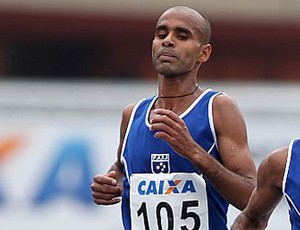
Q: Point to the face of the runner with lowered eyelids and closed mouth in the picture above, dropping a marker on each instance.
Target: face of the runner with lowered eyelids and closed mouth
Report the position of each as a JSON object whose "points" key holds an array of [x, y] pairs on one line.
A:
{"points": [[176, 45]]}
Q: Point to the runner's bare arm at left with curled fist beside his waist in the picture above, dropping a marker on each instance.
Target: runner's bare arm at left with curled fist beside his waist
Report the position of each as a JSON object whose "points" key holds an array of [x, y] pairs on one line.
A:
{"points": [[107, 188]]}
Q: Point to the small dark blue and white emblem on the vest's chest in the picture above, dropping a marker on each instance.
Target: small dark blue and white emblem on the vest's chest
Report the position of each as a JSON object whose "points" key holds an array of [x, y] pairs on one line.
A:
{"points": [[160, 163]]}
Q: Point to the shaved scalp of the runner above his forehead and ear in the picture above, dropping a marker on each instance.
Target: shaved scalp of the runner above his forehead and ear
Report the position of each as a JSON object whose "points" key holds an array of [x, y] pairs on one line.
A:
{"points": [[197, 19]]}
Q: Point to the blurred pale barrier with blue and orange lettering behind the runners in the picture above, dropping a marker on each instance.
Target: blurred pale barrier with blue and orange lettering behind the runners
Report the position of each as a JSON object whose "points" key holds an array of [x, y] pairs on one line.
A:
{"points": [[55, 136]]}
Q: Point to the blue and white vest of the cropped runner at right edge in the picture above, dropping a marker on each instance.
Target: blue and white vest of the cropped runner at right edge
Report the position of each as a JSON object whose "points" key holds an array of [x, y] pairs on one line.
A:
{"points": [[291, 183]]}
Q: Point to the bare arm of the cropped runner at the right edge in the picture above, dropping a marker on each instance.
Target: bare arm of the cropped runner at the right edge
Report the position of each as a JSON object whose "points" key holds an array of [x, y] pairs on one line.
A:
{"points": [[266, 195]]}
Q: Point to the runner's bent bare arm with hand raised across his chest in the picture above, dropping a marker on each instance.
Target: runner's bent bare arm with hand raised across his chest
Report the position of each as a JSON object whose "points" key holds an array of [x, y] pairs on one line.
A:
{"points": [[237, 178]]}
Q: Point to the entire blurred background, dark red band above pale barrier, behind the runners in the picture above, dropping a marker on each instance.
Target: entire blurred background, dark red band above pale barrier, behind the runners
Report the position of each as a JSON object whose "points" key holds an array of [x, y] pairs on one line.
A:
{"points": [[69, 67]]}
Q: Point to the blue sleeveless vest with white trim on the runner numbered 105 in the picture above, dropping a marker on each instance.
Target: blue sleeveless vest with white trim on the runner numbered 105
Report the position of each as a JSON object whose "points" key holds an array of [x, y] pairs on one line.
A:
{"points": [[153, 160]]}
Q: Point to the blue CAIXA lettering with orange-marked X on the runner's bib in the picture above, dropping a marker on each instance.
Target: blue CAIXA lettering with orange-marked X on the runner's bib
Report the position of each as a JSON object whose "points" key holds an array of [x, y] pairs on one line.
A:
{"points": [[166, 187]]}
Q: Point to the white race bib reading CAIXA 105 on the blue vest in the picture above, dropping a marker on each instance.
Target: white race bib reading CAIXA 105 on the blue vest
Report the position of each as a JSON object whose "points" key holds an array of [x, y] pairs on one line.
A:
{"points": [[176, 201]]}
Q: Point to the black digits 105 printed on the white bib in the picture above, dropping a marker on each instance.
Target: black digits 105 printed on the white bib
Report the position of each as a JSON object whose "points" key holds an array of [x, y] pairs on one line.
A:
{"points": [[165, 207]]}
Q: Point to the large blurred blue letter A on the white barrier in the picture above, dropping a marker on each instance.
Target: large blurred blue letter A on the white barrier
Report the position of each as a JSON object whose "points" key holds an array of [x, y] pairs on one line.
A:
{"points": [[72, 163]]}
